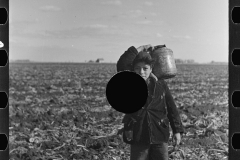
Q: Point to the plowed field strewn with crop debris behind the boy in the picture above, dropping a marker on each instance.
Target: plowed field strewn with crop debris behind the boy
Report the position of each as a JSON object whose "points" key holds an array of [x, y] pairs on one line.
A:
{"points": [[59, 111]]}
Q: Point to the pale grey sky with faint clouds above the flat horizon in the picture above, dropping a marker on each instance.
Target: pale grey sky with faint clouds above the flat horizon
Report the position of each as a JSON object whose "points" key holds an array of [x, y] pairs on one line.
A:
{"points": [[83, 30]]}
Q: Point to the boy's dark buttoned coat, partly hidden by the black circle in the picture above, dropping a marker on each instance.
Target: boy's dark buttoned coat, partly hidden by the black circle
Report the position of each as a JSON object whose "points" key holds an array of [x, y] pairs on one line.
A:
{"points": [[152, 126]]}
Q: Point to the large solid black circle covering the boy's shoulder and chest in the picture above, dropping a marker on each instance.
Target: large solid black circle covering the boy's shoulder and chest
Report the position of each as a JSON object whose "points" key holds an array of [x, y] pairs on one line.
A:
{"points": [[127, 92]]}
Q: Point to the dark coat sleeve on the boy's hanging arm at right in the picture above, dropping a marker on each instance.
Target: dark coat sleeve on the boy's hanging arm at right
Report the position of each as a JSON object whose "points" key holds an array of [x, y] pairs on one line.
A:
{"points": [[173, 115]]}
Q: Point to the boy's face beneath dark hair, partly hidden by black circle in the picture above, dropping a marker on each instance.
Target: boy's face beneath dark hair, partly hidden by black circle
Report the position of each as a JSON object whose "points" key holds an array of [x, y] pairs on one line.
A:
{"points": [[143, 70]]}
